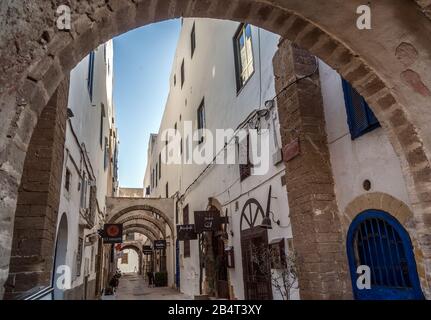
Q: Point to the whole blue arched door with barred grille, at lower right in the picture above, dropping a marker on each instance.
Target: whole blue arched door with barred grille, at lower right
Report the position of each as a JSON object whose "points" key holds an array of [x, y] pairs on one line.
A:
{"points": [[378, 240]]}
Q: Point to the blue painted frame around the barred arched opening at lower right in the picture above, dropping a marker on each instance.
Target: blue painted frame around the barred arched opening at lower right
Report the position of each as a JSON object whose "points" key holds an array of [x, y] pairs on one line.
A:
{"points": [[380, 292]]}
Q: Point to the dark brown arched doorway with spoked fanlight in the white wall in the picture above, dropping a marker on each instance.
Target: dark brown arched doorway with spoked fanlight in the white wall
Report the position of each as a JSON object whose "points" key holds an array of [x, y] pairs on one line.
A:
{"points": [[254, 250]]}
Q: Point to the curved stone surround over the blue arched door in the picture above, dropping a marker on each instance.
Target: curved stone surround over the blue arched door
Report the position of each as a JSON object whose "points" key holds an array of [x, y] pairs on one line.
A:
{"points": [[396, 208]]}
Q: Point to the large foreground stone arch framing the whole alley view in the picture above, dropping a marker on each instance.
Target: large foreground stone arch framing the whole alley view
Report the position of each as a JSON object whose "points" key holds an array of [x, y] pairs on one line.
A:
{"points": [[389, 65]]}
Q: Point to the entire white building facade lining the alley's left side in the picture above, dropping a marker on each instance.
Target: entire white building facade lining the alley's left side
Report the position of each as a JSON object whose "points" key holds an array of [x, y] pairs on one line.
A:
{"points": [[89, 175]]}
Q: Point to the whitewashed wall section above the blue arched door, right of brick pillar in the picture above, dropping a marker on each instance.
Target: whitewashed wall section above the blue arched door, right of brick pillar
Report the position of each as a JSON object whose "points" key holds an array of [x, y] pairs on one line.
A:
{"points": [[370, 156]]}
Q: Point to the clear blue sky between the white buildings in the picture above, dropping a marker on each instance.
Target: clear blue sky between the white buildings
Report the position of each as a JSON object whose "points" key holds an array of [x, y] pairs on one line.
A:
{"points": [[142, 65]]}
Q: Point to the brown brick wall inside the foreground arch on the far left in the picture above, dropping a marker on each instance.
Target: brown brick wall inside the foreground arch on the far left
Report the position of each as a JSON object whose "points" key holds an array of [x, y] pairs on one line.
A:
{"points": [[38, 200]]}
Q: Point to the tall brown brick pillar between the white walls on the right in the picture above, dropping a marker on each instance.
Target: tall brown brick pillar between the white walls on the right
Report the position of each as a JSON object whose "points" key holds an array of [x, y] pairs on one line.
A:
{"points": [[316, 227]]}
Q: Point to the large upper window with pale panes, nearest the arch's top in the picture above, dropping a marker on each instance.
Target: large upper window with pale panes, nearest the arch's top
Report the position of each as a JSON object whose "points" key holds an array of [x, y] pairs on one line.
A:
{"points": [[243, 55]]}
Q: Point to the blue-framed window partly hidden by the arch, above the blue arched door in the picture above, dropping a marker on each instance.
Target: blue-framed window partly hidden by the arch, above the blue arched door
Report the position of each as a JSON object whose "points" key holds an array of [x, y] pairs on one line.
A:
{"points": [[360, 117]]}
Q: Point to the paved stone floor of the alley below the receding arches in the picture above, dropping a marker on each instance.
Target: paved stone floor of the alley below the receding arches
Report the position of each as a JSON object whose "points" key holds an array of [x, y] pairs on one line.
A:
{"points": [[134, 287]]}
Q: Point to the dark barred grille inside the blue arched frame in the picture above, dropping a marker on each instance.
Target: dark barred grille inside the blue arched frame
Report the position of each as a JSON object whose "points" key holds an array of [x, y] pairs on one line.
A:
{"points": [[378, 245]]}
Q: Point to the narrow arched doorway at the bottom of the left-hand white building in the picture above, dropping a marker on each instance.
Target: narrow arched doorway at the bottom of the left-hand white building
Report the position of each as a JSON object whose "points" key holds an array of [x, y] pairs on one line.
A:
{"points": [[61, 275]]}
